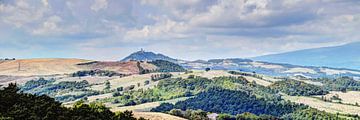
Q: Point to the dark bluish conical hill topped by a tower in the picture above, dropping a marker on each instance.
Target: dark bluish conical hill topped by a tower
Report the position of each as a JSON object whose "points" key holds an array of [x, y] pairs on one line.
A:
{"points": [[148, 56]]}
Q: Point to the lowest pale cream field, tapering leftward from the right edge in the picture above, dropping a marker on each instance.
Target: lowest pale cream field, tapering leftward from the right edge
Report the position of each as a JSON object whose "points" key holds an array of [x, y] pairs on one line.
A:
{"points": [[325, 106]]}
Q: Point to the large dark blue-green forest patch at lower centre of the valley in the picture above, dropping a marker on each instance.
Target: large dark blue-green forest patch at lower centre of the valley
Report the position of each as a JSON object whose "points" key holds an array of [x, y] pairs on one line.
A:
{"points": [[219, 100]]}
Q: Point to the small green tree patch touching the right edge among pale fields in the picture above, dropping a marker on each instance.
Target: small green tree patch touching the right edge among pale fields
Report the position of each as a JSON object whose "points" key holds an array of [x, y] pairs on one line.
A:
{"points": [[339, 84]]}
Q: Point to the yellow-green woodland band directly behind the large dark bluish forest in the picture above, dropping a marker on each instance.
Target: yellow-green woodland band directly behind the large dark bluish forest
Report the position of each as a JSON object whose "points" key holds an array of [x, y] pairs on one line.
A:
{"points": [[171, 88]]}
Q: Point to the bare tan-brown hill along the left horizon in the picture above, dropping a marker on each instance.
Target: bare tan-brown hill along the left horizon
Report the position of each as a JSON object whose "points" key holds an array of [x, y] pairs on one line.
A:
{"points": [[53, 66]]}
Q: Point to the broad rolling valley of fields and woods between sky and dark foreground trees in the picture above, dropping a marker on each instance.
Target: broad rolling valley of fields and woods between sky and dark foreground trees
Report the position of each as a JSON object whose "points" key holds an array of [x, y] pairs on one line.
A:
{"points": [[161, 90]]}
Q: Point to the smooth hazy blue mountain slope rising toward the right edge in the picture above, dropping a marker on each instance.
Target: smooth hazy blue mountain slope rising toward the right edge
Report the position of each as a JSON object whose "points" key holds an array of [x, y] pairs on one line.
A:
{"points": [[345, 56]]}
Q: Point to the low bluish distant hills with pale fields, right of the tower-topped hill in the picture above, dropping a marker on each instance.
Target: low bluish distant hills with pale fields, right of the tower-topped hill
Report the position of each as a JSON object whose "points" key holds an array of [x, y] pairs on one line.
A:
{"points": [[272, 69]]}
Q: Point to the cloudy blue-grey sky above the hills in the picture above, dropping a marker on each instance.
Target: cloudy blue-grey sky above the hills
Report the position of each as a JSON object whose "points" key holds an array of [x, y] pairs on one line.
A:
{"points": [[185, 29]]}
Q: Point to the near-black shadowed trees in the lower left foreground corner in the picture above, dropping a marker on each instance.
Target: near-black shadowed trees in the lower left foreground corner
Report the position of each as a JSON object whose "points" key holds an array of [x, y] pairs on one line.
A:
{"points": [[15, 105]]}
